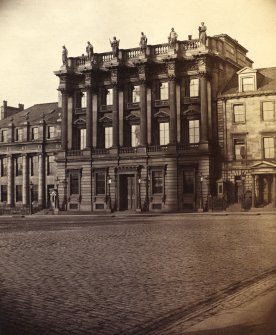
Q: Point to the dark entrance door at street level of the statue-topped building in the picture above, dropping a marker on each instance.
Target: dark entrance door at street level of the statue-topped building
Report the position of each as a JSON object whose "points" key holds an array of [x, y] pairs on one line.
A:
{"points": [[127, 192]]}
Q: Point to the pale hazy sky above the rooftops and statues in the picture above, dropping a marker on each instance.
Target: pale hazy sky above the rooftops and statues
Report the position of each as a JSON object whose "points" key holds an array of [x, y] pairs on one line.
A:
{"points": [[32, 33]]}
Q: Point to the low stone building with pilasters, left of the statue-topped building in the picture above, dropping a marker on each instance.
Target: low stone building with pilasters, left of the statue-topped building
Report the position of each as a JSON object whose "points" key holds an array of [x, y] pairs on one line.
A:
{"points": [[29, 141]]}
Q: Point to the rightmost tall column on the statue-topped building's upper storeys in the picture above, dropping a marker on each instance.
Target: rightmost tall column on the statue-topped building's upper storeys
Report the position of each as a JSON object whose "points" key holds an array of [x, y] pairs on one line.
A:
{"points": [[203, 108]]}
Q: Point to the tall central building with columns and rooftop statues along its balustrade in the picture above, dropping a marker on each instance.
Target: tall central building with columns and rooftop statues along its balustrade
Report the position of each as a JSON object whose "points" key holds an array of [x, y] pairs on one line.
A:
{"points": [[139, 127]]}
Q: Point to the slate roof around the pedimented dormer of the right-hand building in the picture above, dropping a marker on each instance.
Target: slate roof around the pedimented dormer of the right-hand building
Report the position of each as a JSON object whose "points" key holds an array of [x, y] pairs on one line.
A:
{"points": [[266, 81]]}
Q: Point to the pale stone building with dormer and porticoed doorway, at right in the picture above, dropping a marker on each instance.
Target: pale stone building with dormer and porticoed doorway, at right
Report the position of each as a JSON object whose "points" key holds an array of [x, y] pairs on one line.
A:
{"points": [[247, 135]]}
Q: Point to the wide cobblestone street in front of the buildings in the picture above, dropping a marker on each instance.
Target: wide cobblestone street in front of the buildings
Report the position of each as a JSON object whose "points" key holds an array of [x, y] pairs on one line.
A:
{"points": [[125, 276]]}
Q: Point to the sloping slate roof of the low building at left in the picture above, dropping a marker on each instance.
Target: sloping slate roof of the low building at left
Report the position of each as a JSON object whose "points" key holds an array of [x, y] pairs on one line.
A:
{"points": [[34, 114]]}
